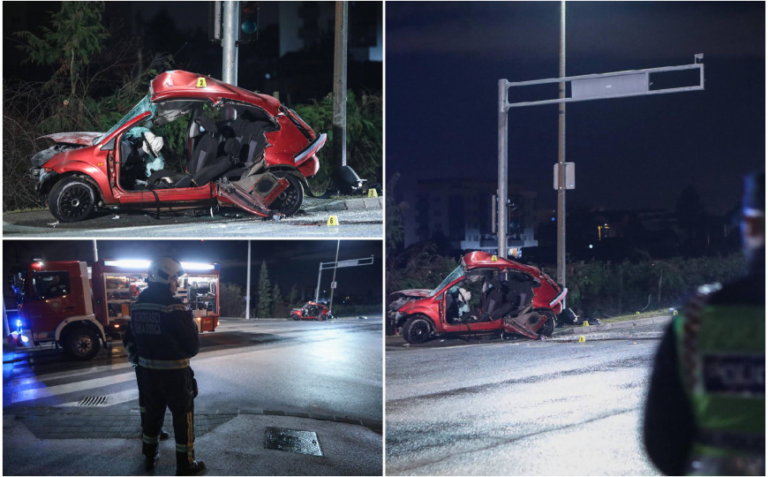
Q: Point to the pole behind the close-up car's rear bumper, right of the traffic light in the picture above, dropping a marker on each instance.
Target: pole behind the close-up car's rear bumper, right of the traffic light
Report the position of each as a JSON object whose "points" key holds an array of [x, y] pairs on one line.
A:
{"points": [[340, 86]]}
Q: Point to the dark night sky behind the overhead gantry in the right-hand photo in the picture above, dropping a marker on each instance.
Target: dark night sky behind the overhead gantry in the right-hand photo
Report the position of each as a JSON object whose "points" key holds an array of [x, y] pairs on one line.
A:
{"points": [[444, 60]]}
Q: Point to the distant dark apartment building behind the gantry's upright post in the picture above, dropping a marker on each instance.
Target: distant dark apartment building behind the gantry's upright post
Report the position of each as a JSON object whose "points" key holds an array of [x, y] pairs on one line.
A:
{"points": [[459, 211]]}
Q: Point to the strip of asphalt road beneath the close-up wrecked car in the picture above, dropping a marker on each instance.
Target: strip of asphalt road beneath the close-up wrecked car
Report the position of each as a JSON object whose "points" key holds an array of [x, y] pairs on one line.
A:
{"points": [[229, 222]]}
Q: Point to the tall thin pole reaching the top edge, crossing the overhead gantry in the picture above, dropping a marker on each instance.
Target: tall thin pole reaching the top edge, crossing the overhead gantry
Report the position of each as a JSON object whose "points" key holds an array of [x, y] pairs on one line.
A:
{"points": [[561, 159]]}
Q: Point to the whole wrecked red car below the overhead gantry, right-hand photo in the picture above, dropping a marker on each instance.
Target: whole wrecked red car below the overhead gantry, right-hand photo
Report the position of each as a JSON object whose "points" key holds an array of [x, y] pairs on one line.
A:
{"points": [[484, 295]]}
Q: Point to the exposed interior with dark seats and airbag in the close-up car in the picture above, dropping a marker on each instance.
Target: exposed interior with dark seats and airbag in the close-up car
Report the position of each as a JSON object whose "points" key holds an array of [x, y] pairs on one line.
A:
{"points": [[199, 144]]}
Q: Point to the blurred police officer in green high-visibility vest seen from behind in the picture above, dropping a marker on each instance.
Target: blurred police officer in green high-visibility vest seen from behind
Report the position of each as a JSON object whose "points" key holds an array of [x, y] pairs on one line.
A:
{"points": [[705, 413]]}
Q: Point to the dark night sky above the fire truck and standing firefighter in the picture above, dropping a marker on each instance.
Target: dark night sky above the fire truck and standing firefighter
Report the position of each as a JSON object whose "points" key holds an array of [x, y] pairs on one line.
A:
{"points": [[288, 261]]}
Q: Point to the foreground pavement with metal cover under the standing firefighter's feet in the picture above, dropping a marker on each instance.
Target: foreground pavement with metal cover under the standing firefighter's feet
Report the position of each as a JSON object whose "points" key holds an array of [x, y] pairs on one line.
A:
{"points": [[47, 442]]}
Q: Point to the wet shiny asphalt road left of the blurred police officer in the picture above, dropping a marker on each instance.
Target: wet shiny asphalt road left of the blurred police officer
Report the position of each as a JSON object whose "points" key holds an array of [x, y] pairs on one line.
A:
{"points": [[519, 407]]}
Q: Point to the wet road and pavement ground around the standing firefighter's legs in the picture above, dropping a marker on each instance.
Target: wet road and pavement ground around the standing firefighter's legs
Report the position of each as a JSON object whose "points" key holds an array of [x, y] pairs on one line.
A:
{"points": [[322, 377]]}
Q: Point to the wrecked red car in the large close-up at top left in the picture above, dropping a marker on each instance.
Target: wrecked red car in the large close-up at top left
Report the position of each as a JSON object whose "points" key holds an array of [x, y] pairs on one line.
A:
{"points": [[193, 141]]}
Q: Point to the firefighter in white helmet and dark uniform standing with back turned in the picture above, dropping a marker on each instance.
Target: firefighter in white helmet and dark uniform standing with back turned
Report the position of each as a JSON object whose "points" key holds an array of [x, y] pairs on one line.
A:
{"points": [[166, 338]]}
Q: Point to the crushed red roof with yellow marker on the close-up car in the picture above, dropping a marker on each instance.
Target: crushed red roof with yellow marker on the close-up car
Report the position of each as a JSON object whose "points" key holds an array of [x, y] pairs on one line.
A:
{"points": [[183, 84]]}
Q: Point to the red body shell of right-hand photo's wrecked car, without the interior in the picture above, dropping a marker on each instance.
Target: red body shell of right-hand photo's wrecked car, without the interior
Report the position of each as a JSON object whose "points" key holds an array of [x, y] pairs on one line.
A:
{"points": [[412, 309]]}
